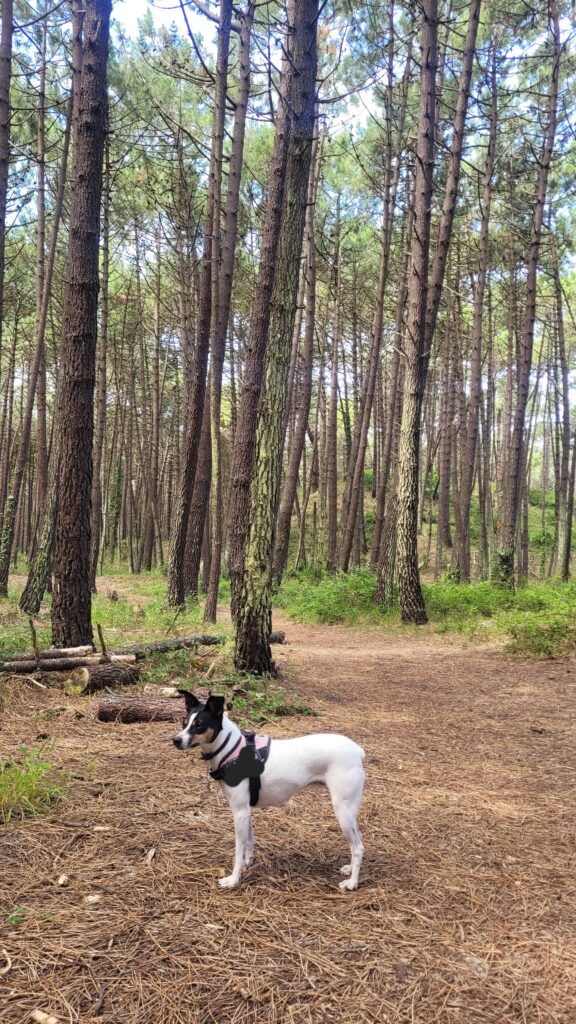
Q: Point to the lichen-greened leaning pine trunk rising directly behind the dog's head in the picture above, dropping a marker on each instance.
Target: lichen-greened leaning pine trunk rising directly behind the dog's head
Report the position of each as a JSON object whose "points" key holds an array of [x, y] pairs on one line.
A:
{"points": [[255, 610]]}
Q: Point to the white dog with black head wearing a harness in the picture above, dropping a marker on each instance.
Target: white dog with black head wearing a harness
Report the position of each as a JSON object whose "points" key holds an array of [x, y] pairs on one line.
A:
{"points": [[333, 760]]}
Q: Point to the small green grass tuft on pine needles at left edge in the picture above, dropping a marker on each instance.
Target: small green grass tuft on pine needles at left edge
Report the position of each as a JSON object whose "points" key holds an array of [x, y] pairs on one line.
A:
{"points": [[29, 786]]}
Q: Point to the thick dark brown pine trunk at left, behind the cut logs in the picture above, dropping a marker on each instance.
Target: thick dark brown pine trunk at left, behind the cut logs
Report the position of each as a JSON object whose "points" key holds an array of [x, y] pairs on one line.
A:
{"points": [[72, 596]]}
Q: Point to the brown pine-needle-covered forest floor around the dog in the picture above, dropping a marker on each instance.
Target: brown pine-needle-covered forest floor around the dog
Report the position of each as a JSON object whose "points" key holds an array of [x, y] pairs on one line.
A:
{"points": [[467, 909]]}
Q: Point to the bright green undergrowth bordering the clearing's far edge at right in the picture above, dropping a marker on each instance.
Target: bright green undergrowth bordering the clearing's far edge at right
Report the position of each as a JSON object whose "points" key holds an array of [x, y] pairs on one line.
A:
{"points": [[540, 619]]}
